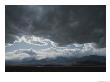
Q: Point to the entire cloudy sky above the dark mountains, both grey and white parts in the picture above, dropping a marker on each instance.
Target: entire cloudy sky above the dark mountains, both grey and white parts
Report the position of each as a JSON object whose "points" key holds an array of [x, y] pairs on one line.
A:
{"points": [[37, 32]]}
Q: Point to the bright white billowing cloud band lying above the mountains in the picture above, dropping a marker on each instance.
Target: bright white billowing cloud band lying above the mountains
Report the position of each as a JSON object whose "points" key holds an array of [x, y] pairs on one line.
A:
{"points": [[38, 48]]}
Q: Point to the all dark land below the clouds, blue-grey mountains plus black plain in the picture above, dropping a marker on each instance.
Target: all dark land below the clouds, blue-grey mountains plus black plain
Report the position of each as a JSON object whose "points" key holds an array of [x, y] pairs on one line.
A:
{"points": [[85, 64]]}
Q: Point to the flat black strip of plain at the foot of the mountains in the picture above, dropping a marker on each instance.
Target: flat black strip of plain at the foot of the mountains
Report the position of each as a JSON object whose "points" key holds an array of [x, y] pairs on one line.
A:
{"points": [[100, 68]]}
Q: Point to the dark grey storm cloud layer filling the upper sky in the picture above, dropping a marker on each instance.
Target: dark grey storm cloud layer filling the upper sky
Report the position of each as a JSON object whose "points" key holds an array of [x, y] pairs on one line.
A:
{"points": [[63, 24]]}
